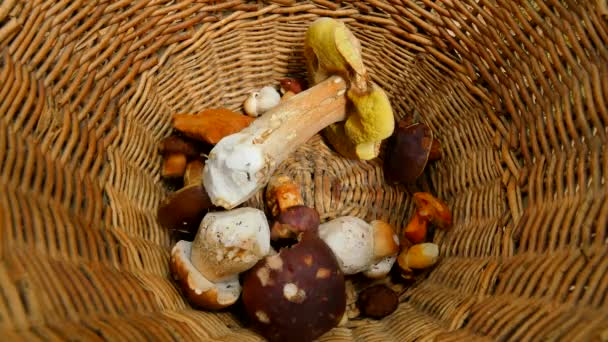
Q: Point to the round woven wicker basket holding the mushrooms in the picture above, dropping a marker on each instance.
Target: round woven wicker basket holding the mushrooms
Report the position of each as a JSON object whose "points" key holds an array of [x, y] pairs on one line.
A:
{"points": [[516, 91]]}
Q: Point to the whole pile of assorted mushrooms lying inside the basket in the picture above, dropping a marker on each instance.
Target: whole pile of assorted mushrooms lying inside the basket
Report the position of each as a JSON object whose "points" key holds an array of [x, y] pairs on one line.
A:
{"points": [[288, 267]]}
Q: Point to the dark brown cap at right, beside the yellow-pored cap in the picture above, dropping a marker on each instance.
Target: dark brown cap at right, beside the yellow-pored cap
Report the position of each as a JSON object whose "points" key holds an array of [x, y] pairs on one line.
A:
{"points": [[407, 153]]}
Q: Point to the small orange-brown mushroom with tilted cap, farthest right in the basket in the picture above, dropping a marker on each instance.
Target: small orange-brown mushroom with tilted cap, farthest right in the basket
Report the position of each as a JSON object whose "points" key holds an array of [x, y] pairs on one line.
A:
{"points": [[428, 209]]}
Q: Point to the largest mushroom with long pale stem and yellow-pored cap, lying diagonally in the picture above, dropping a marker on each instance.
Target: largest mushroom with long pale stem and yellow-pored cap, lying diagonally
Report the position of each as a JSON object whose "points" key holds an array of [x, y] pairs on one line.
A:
{"points": [[241, 164]]}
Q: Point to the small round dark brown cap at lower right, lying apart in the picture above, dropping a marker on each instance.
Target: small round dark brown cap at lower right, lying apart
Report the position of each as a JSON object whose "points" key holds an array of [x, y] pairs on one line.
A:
{"points": [[377, 301]]}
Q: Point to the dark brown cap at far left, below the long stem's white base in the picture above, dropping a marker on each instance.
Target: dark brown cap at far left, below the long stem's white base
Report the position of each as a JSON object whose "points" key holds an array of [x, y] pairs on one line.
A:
{"points": [[184, 209]]}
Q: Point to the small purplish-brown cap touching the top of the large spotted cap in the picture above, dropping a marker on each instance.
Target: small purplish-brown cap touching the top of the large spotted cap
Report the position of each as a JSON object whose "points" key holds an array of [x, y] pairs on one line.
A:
{"points": [[295, 220]]}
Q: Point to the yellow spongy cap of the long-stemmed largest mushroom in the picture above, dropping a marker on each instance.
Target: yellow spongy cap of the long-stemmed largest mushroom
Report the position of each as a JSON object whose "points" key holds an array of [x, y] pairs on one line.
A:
{"points": [[332, 49]]}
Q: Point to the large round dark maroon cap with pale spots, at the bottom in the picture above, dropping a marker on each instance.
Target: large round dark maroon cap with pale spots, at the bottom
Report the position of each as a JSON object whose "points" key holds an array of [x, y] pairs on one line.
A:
{"points": [[296, 295]]}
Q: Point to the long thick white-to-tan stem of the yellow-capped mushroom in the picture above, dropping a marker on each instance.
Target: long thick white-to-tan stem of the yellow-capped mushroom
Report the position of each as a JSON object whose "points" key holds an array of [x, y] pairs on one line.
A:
{"points": [[241, 164]]}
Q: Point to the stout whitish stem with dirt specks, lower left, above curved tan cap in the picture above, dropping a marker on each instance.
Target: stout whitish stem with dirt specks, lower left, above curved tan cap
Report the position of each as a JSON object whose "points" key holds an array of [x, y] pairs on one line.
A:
{"points": [[230, 242]]}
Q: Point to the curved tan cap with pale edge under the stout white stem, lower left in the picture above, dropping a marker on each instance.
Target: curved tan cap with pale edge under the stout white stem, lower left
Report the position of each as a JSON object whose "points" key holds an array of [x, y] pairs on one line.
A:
{"points": [[199, 291]]}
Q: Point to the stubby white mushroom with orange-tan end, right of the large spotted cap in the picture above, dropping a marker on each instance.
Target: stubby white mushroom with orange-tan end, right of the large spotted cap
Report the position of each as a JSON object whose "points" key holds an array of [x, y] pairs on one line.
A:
{"points": [[357, 244]]}
